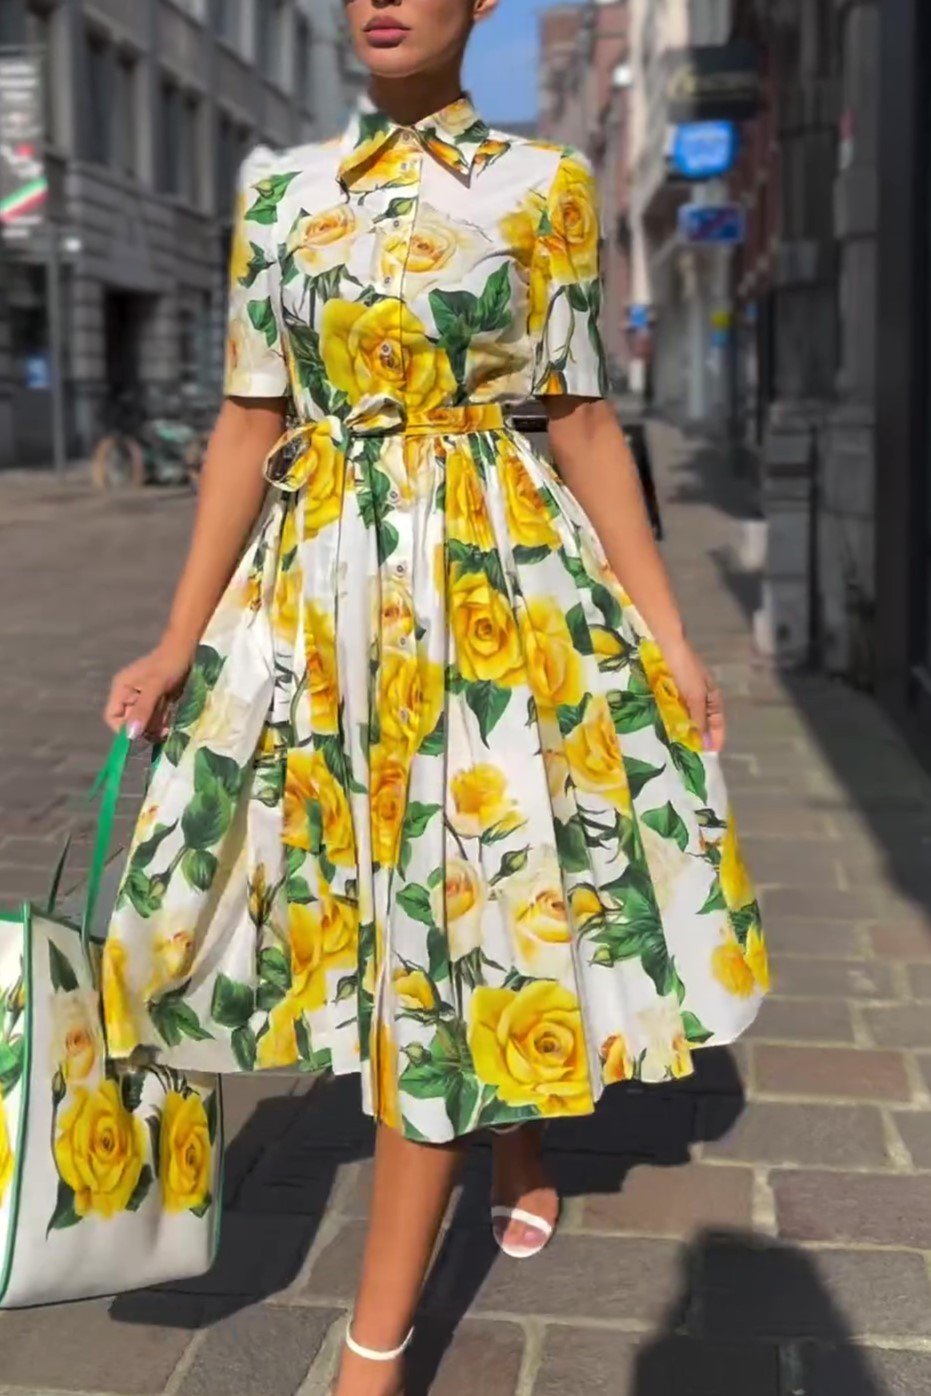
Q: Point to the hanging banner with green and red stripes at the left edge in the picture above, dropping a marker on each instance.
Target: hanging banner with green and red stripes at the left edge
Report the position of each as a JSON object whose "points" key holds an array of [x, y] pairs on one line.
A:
{"points": [[24, 188]]}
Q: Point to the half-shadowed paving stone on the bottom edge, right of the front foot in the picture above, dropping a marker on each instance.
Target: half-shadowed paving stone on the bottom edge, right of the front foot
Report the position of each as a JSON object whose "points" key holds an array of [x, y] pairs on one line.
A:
{"points": [[606, 1365]]}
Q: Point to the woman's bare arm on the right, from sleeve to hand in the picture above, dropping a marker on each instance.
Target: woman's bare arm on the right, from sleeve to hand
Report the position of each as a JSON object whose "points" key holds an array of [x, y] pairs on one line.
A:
{"points": [[594, 459]]}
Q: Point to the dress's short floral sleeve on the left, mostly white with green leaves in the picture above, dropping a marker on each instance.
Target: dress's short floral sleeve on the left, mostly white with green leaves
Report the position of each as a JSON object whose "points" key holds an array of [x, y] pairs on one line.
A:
{"points": [[256, 364]]}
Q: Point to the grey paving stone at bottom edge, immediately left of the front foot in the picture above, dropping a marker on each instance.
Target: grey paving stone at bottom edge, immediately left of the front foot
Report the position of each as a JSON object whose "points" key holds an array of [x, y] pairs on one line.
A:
{"points": [[258, 1352]]}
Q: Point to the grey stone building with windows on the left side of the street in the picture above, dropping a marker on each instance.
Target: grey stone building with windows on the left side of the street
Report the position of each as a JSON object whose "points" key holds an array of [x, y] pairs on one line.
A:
{"points": [[150, 110]]}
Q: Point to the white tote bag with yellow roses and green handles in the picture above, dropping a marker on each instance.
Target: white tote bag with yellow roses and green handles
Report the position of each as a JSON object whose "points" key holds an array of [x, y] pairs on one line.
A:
{"points": [[111, 1176]]}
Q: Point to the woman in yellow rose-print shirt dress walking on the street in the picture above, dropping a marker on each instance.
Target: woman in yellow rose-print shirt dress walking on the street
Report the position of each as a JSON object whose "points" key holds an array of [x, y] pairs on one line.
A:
{"points": [[440, 802]]}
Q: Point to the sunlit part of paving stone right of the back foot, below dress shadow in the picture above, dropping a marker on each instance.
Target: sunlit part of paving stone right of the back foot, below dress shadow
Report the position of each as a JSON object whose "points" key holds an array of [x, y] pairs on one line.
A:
{"points": [[675, 1201]]}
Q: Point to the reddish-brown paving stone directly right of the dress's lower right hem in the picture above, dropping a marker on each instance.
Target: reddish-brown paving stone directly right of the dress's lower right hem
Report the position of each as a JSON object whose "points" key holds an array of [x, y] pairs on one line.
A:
{"points": [[856, 1073]]}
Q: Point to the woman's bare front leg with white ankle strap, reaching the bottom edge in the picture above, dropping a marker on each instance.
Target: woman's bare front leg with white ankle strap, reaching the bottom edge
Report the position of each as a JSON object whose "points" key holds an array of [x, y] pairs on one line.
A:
{"points": [[411, 1194]]}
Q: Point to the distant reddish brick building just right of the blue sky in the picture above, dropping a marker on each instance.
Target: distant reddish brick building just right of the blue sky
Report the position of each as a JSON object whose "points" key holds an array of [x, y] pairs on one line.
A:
{"points": [[586, 103]]}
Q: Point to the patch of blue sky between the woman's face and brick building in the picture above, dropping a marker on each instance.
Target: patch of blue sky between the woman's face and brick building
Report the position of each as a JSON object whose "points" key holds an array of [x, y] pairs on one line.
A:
{"points": [[503, 62]]}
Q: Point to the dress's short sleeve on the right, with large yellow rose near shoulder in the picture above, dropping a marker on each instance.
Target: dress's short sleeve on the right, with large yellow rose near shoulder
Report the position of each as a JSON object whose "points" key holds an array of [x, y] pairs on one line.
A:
{"points": [[567, 287]]}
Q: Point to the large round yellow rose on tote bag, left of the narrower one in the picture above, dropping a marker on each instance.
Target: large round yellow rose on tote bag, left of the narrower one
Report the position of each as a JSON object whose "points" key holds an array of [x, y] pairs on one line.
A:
{"points": [[100, 1150]]}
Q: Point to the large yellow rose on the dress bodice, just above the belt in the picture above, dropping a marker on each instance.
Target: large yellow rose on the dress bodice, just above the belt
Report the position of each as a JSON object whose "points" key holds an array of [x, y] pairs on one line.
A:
{"points": [[385, 351]]}
